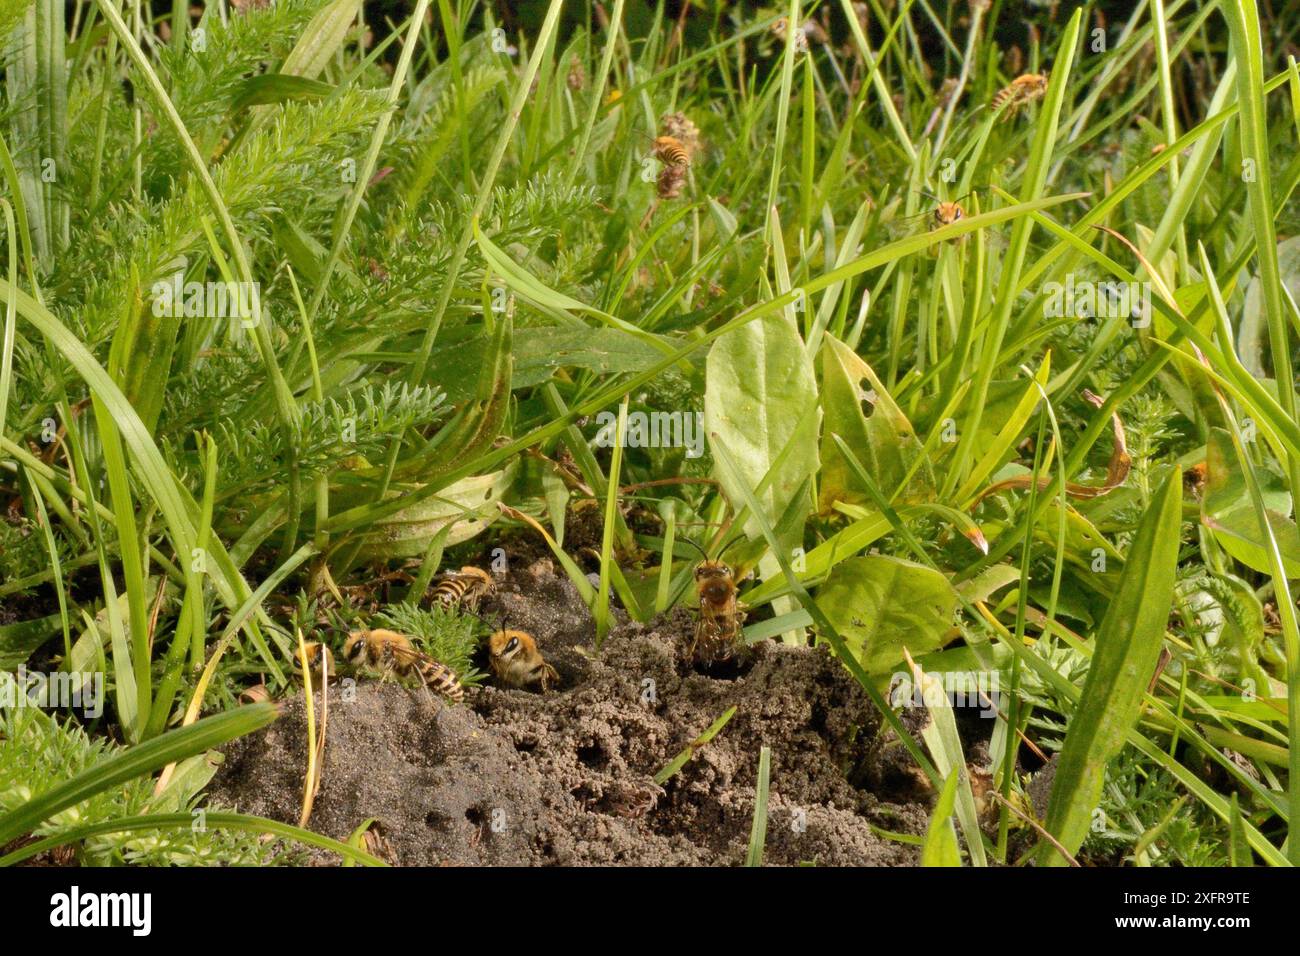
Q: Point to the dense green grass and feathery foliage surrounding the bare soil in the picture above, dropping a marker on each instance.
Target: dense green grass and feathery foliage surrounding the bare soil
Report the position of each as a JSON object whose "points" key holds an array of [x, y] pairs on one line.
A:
{"points": [[463, 262]]}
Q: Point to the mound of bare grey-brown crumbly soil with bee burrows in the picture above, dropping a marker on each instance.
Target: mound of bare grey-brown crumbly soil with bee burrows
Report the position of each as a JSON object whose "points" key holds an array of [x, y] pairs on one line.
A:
{"points": [[567, 778]]}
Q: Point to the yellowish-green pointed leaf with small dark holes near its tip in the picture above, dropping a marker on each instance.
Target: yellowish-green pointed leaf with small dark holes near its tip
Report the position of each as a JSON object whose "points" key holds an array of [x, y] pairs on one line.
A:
{"points": [[859, 409]]}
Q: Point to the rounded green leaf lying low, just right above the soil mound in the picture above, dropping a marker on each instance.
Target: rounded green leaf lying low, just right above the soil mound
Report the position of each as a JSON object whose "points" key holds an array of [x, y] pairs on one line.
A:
{"points": [[881, 605]]}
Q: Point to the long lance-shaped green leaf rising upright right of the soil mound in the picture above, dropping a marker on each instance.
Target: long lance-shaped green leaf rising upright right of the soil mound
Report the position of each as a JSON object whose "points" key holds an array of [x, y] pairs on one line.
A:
{"points": [[1128, 646]]}
